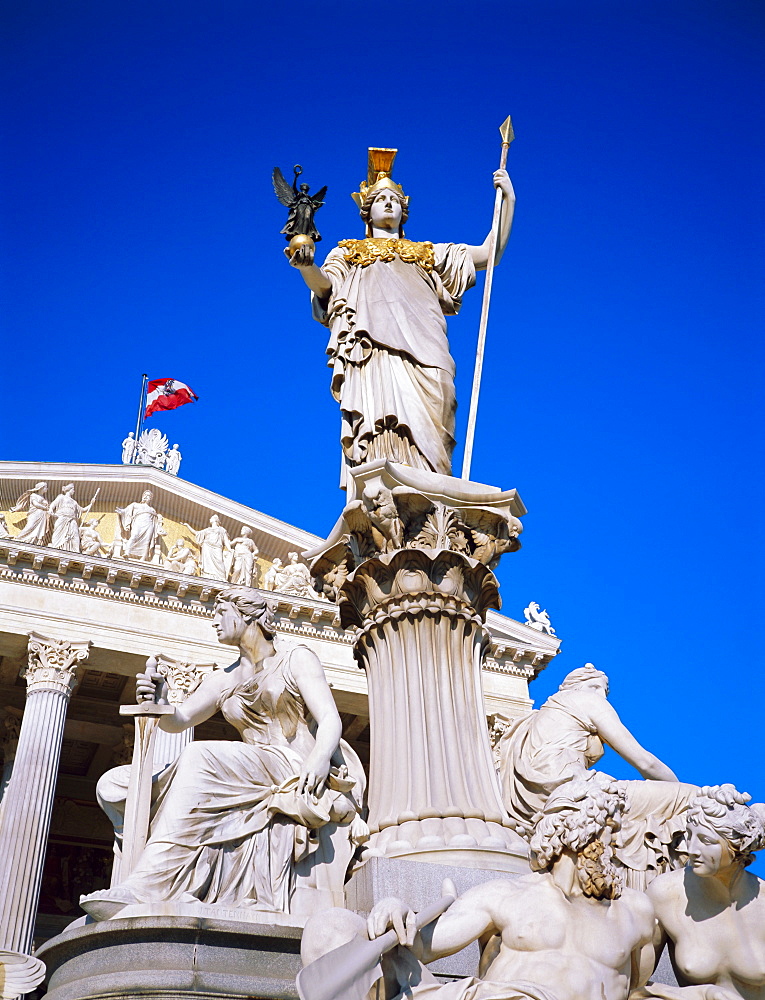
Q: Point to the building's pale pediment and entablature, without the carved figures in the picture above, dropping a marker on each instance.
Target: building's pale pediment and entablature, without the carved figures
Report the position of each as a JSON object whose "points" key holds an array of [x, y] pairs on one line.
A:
{"points": [[175, 608]]}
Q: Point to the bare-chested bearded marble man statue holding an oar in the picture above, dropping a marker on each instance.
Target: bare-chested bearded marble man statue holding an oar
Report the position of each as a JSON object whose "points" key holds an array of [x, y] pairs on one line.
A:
{"points": [[566, 931]]}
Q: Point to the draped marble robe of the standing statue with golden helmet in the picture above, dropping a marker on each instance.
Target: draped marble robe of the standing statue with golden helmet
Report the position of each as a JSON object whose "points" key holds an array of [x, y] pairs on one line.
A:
{"points": [[392, 372]]}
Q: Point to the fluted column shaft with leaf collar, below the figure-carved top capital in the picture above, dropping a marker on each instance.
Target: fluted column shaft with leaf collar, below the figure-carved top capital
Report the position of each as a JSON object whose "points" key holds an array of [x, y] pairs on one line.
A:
{"points": [[432, 782]]}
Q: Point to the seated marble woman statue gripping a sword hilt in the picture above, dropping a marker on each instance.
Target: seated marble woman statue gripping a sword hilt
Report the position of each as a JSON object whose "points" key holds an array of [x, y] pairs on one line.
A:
{"points": [[231, 819]]}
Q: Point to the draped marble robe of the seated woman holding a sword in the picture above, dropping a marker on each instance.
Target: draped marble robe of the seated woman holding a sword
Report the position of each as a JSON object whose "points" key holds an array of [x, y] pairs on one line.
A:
{"points": [[228, 825]]}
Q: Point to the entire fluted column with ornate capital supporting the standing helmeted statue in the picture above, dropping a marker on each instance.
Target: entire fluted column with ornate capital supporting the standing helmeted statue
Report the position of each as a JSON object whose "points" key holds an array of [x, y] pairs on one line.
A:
{"points": [[409, 563]]}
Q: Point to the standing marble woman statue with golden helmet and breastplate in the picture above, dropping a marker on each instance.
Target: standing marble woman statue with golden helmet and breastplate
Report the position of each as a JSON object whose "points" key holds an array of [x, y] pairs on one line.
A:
{"points": [[384, 299]]}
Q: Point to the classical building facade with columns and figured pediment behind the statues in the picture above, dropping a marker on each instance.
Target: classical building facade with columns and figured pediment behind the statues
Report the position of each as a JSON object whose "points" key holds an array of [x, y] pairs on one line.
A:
{"points": [[135, 575]]}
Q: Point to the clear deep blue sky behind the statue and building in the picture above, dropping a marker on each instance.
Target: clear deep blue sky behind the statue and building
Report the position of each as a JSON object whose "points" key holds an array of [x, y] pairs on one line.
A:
{"points": [[622, 395]]}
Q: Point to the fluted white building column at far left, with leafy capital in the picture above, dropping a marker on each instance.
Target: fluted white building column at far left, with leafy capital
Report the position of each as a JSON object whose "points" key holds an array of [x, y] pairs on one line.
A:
{"points": [[28, 802]]}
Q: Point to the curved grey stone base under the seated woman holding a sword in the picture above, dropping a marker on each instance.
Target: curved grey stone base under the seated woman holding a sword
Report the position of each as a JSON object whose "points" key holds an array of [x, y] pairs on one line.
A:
{"points": [[171, 957]]}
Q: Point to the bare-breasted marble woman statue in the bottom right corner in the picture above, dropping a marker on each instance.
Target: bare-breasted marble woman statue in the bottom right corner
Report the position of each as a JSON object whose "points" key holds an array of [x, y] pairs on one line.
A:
{"points": [[712, 913]]}
